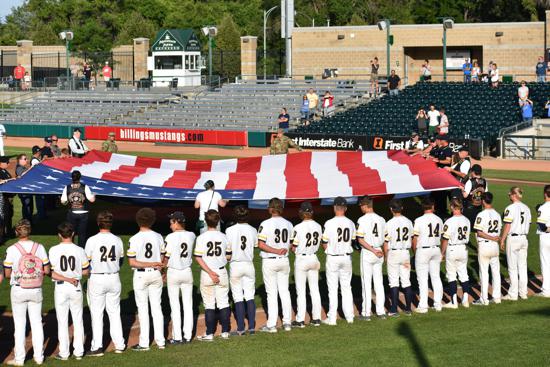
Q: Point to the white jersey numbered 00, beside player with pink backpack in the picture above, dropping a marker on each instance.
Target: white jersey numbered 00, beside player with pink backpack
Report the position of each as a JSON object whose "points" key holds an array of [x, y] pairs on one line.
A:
{"points": [[69, 260]]}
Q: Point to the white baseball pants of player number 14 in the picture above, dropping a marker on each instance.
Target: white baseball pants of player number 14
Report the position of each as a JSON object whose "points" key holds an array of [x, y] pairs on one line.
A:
{"points": [[428, 265]]}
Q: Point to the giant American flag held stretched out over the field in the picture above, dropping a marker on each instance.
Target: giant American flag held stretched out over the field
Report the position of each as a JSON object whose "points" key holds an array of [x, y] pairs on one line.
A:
{"points": [[305, 175]]}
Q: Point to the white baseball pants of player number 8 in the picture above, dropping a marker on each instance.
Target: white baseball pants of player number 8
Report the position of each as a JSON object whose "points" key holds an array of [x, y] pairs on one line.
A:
{"points": [[148, 290]]}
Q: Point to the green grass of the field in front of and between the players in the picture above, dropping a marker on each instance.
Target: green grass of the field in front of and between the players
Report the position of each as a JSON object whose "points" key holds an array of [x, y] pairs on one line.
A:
{"points": [[506, 334]]}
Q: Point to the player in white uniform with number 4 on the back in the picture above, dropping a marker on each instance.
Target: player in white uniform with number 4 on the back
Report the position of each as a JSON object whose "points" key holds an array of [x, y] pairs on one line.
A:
{"points": [[370, 234]]}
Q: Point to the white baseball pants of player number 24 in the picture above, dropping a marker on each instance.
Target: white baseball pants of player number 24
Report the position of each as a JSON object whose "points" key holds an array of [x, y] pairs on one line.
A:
{"points": [[104, 295]]}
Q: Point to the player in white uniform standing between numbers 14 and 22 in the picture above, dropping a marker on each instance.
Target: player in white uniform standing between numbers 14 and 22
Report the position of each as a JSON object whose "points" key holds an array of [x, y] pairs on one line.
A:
{"points": [[456, 234]]}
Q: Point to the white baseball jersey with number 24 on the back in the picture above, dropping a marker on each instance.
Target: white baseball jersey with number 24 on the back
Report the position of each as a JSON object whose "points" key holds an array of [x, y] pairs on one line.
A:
{"points": [[104, 251]]}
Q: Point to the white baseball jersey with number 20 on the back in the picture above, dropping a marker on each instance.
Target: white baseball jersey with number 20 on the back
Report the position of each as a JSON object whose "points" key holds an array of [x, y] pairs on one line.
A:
{"points": [[338, 234]]}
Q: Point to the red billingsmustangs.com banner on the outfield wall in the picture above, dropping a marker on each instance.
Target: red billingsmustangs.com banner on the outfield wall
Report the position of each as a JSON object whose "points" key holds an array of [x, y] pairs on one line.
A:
{"points": [[170, 136]]}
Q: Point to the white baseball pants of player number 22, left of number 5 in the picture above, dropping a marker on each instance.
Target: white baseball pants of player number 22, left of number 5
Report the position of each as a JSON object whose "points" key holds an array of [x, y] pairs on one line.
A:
{"points": [[488, 256]]}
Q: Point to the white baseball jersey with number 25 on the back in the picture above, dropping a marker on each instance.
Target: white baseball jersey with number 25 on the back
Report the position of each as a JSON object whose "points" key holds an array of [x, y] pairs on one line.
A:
{"points": [[213, 247]]}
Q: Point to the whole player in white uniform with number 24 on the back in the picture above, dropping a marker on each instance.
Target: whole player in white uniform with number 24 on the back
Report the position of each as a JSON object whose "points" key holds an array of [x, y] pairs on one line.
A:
{"points": [[105, 253]]}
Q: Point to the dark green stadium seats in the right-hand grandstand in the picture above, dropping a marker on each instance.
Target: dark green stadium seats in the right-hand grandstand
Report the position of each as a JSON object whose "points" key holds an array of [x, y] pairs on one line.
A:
{"points": [[476, 110]]}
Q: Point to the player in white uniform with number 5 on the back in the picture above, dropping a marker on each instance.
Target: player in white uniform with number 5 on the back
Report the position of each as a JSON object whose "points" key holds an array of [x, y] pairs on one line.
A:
{"points": [[517, 218]]}
